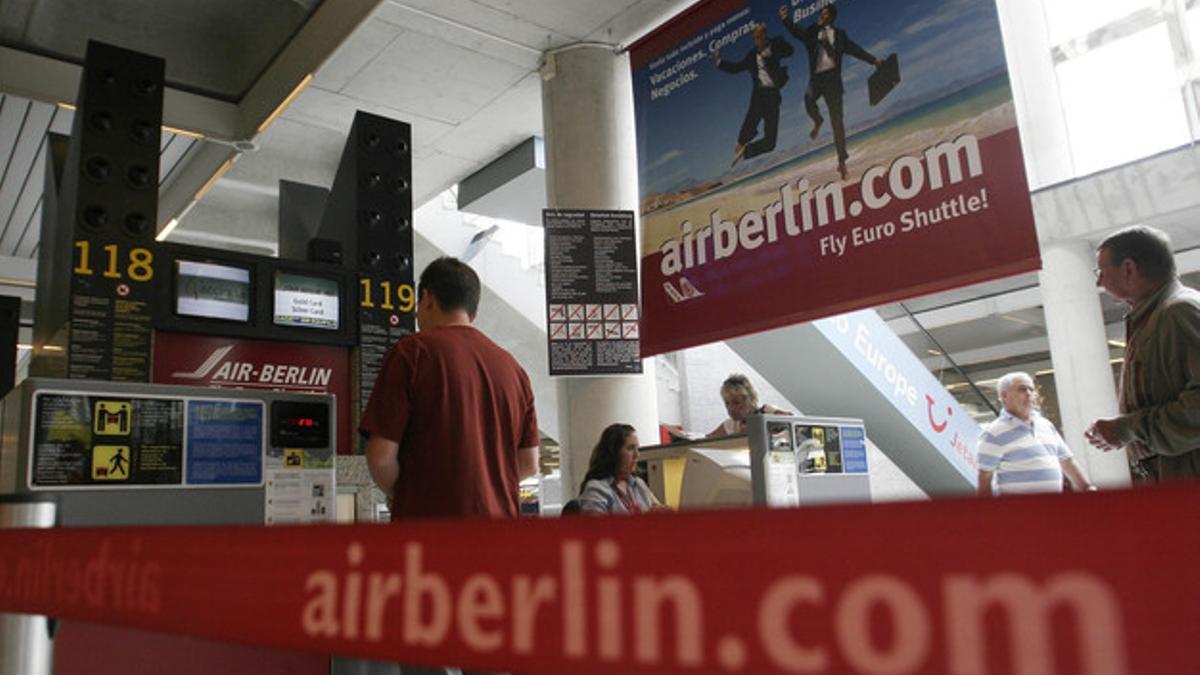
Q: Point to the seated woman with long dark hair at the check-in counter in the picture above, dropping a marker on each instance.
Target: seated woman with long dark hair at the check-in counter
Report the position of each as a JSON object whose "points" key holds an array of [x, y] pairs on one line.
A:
{"points": [[610, 486]]}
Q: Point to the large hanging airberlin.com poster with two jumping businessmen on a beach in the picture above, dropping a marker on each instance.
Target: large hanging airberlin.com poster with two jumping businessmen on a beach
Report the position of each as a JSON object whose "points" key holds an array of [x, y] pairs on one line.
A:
{"points": [[800, 159]]}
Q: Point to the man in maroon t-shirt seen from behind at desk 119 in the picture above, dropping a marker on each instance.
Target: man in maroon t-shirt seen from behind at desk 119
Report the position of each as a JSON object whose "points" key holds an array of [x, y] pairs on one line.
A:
{"points": [[452, 425]]}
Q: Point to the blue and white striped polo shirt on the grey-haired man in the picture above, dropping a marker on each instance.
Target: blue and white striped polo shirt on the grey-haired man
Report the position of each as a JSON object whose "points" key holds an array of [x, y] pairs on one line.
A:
{"points": [[1024, 457]]}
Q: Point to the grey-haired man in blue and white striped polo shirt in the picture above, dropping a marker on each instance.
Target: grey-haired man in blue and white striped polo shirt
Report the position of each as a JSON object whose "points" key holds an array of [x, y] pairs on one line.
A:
{"points": [[1022, 450]]}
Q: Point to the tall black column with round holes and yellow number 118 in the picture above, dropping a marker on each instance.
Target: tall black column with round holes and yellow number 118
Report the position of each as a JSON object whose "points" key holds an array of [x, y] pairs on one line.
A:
{"points": [[110, 204]]}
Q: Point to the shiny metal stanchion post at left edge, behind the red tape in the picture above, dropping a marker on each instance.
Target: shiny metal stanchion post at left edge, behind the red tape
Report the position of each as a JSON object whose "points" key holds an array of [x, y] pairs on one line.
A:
{"points": [[27, 644]]}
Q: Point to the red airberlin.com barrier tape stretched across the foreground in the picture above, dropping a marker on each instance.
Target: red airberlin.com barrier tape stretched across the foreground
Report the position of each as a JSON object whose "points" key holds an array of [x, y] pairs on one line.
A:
{"points": [[1096, 584]]}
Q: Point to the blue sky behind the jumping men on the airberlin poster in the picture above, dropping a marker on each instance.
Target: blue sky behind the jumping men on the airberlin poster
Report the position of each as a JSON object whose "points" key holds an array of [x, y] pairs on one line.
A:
{"points": [[688, 136]]}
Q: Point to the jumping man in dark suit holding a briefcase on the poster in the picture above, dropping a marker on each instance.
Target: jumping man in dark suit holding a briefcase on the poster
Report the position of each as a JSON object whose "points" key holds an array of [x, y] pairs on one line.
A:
{"points": [[827, 45]]}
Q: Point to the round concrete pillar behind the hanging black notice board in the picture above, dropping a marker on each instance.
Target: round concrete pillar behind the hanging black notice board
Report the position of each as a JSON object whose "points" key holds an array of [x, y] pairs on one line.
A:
{"points": [[592, 164]]}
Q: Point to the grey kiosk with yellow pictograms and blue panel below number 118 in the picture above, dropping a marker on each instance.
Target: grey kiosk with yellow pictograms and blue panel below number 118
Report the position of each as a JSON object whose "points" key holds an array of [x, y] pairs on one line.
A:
{"points": [[112, 453]]}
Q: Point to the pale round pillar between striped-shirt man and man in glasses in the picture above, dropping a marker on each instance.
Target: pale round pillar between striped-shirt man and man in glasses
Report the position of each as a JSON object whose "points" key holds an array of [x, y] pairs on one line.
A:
{"points": [[1081, 355]]}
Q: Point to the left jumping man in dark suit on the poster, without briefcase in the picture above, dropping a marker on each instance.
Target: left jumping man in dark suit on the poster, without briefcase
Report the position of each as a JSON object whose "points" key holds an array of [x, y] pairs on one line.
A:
{"points": [[770, 76]]}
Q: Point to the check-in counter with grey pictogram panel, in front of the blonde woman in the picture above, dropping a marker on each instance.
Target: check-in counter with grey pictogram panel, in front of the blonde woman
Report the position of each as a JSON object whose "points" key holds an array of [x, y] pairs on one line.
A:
{"points": [[781, 462]]}
